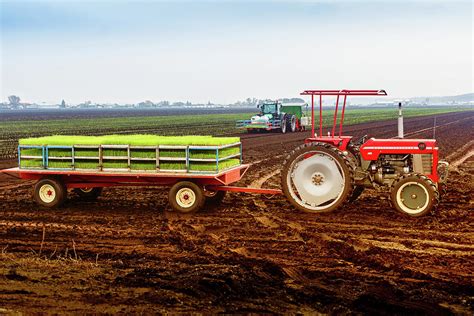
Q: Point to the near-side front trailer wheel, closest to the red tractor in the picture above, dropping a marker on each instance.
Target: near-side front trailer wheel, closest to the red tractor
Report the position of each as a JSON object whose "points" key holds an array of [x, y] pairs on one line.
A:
{"points": [[186, 197]]}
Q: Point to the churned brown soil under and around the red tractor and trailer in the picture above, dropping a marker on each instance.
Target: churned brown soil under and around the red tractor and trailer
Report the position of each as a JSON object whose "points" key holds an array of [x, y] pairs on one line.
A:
{"points": [[127, 252]]}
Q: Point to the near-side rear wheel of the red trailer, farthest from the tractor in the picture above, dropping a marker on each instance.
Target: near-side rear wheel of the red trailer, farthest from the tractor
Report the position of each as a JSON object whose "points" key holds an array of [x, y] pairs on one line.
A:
{"points": [[50, 192]]}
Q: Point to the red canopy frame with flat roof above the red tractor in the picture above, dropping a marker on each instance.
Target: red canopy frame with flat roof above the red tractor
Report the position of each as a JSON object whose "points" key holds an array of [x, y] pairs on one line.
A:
{"points": [[336, 93]]}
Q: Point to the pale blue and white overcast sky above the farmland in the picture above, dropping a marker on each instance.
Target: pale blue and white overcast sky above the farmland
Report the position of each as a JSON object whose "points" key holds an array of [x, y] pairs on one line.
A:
{"points": [[223, 51]]}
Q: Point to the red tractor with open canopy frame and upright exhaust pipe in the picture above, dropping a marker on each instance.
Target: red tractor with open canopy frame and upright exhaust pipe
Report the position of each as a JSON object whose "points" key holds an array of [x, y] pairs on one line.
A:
{"points": [[327, 172]]}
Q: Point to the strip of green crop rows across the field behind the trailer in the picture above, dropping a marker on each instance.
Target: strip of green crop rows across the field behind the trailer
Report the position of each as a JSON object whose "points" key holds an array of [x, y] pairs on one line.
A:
{"points": [[213, 124]]}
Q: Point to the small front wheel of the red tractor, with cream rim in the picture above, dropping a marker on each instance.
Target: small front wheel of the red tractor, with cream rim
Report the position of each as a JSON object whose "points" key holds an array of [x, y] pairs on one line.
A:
{"points": [[414, 195]]}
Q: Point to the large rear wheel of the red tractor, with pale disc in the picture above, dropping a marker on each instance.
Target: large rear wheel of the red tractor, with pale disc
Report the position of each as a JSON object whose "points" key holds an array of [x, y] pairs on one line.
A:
{"points": [[317, 178]]}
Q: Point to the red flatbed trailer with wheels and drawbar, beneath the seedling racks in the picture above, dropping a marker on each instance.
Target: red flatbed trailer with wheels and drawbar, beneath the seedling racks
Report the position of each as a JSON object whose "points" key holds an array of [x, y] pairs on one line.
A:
{"points": [[188, 193]]}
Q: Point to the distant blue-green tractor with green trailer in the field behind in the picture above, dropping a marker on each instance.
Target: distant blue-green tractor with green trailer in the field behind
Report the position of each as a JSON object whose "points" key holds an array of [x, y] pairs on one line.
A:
{"points": [[277, 116]]}
